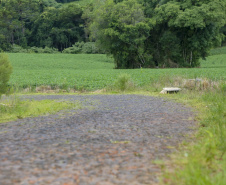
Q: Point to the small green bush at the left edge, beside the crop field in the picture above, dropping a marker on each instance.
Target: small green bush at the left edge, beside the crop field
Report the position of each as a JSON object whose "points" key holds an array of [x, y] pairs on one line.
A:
{"points": [[5, 72]]}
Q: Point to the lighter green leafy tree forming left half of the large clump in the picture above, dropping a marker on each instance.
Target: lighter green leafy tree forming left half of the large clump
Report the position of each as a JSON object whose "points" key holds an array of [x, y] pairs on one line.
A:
{"points": [[120, 29]]}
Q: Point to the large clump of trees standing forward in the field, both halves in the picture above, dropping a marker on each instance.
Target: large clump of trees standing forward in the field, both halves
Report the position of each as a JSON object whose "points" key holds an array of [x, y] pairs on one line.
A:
{"points": [[167, 33]]}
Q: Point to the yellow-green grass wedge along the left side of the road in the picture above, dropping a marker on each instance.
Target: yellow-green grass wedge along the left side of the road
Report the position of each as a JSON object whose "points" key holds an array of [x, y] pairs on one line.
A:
{"points": [[13, 108]]}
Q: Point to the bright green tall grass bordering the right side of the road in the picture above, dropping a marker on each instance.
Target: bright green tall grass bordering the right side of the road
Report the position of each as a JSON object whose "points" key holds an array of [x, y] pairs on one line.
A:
{"points": [[202, 162]]}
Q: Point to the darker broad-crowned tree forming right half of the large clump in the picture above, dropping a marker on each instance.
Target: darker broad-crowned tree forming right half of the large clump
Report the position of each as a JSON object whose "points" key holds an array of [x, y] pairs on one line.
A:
{"points": [[186, 30]]}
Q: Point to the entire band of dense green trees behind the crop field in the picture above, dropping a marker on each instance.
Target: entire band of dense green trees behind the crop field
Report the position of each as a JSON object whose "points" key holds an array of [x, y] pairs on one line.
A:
{"points": [[137, 33]]}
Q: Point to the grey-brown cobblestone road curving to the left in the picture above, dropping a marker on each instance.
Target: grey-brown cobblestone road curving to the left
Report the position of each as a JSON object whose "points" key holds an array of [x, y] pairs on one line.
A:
{"points": [[113, 139]]}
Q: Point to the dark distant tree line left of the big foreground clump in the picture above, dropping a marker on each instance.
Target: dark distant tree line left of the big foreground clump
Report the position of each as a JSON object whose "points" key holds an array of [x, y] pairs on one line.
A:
{"points": [[40, 23]]}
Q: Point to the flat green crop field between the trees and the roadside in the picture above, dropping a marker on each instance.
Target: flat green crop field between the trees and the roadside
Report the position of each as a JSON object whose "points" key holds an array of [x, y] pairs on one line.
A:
{"points": [[95, 71]]}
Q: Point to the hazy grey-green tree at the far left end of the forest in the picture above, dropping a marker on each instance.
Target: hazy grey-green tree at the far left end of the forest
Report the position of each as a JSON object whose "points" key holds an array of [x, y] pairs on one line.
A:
{"points": [[15, 19]]}
